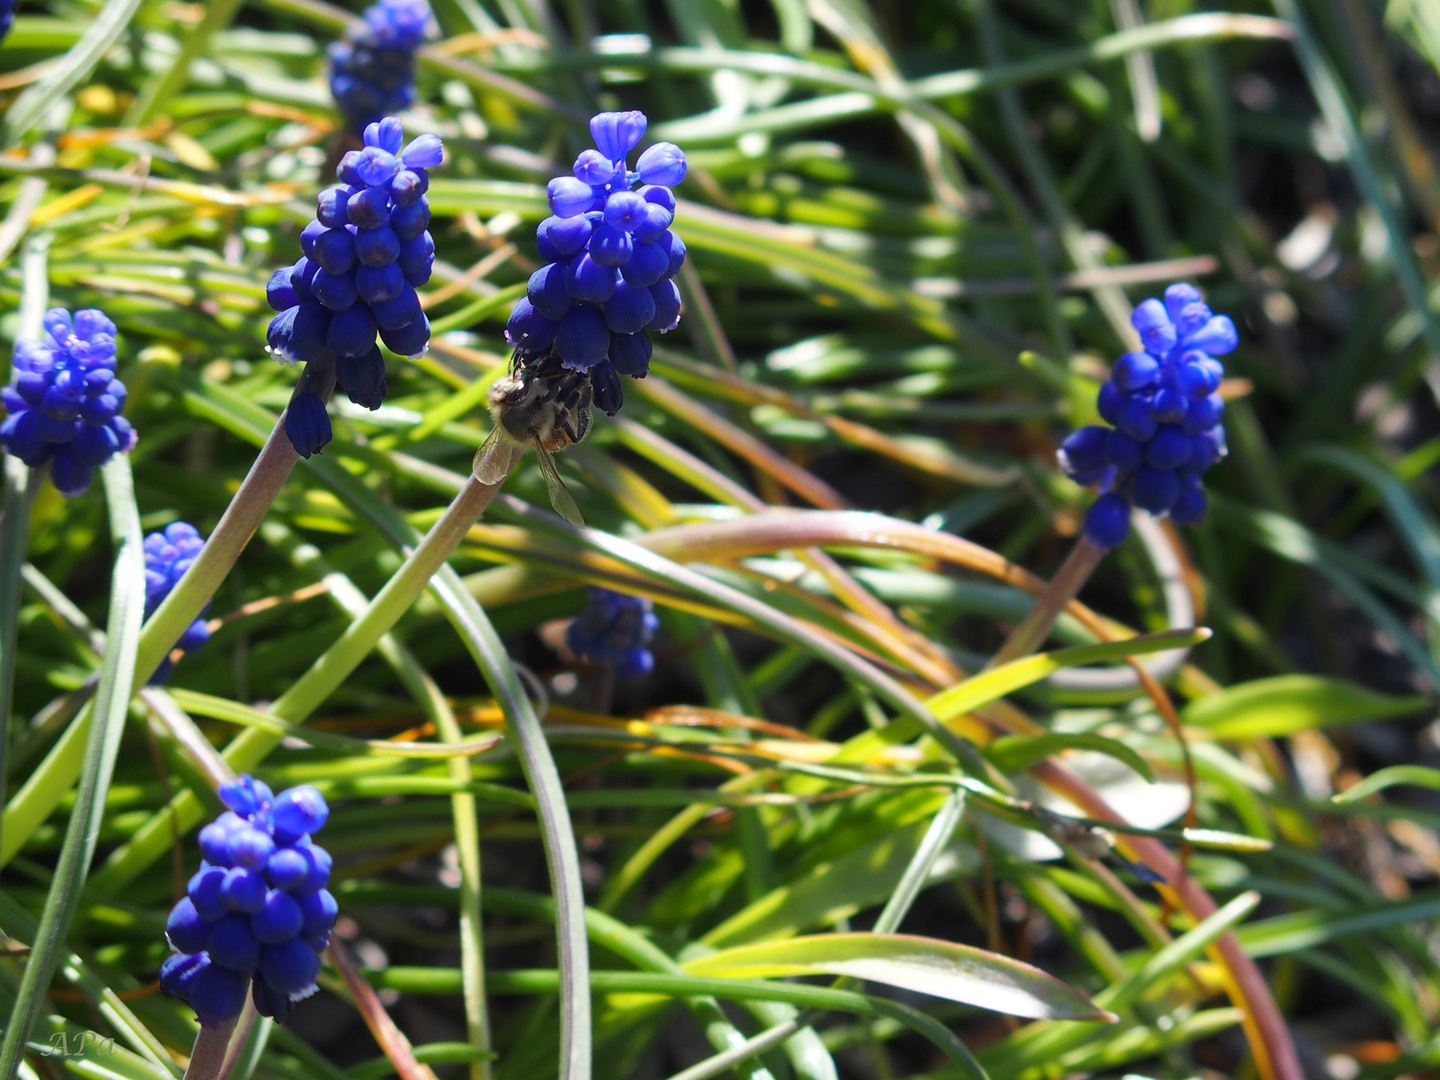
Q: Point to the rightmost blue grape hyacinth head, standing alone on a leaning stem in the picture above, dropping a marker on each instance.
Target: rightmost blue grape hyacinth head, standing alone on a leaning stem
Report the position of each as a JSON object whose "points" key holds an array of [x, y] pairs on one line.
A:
{"points": [[1164, 410]]}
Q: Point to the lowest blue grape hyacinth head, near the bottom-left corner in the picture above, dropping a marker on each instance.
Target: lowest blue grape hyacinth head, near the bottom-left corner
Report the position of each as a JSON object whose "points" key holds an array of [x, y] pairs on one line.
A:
{"points": [[257, 915]]}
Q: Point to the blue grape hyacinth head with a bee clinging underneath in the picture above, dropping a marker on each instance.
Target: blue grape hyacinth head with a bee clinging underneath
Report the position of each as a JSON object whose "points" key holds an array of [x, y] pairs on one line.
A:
{"points": [[610, 260]]}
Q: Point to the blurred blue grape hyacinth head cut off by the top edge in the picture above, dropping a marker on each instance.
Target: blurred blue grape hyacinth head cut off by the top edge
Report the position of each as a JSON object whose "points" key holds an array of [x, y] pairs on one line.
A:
{"points": [[372, 70]]}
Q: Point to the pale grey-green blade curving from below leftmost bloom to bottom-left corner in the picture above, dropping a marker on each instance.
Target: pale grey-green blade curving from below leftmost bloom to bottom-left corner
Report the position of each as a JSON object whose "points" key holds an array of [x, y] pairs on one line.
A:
{"points": [[110, 706]]}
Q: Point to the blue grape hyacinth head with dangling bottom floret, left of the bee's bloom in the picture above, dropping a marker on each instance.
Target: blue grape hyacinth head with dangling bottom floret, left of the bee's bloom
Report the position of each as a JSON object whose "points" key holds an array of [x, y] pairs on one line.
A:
{"points": [[364, 256]]}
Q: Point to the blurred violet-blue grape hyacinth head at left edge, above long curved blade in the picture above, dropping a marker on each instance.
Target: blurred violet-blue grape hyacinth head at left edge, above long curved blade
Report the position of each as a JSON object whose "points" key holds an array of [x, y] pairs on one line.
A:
{"points": [[66, 401]]}
